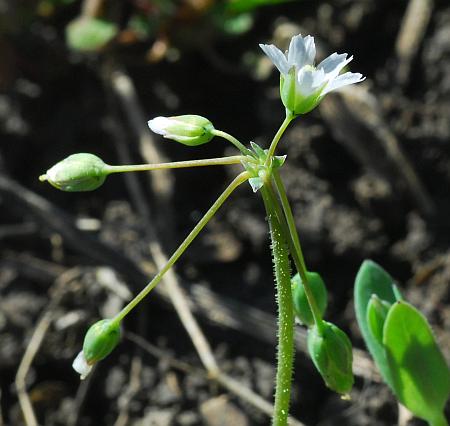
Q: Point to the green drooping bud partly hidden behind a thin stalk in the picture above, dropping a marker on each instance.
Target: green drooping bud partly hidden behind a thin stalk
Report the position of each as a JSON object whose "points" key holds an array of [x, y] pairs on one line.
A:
{"points": [[300, 301]]}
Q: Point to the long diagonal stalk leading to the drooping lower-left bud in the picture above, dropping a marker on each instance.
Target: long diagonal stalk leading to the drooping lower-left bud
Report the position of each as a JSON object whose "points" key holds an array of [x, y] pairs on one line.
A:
{"points": [[238, 180]]}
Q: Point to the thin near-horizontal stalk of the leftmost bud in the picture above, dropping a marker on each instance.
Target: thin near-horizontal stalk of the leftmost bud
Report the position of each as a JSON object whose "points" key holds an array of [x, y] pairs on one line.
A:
{"points": [[223, 161]]}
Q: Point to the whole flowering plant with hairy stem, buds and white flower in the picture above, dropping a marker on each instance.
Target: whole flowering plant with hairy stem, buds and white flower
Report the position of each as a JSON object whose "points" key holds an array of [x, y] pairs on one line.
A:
{"points": [[302, 86]]}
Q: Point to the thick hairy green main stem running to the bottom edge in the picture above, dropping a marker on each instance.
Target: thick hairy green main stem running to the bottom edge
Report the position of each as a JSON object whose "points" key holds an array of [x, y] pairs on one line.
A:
{"points": [[285, 355]]}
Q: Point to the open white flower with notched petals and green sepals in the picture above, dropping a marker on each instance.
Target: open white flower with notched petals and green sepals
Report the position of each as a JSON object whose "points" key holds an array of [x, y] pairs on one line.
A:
{"points": [[303, 85]]}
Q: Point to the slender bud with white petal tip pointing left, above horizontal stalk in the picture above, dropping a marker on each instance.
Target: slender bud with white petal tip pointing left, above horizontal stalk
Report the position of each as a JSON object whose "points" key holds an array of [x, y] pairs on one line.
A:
{"points": [[191, 130]]}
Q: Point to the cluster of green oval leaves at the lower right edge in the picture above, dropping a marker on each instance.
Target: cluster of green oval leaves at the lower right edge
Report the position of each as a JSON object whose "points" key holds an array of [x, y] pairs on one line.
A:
{"points": [[402, 345]]}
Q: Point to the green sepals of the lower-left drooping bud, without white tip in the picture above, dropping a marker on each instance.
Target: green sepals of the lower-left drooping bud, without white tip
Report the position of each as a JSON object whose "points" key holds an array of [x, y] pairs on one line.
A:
{"points": [[100, 340]]}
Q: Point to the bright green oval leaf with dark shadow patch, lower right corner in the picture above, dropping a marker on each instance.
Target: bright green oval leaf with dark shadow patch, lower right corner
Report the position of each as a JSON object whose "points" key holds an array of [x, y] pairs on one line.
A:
{"points": [[420, 375]]}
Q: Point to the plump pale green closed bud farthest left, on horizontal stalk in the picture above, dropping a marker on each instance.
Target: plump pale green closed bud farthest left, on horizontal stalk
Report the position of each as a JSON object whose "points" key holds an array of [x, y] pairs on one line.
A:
{"points": [[77, 173]]}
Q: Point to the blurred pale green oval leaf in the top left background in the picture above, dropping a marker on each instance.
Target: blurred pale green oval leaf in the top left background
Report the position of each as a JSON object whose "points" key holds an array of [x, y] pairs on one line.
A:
{"points": [[89, 34]]}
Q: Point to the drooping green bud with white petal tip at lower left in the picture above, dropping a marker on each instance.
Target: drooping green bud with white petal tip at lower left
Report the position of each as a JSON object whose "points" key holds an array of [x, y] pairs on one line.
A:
{"points": [[100, 340]]}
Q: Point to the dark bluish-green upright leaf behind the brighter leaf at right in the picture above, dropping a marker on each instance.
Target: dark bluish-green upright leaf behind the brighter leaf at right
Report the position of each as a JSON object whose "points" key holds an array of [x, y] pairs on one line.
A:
{"points": [[373, 279]]}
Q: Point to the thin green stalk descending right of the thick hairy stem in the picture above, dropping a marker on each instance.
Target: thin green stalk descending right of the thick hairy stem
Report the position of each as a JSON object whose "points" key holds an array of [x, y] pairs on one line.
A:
{"points": [[296, 249]]}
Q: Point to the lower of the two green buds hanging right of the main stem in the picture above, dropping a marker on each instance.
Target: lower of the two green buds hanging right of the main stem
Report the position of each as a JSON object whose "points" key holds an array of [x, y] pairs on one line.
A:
{"points": [[331, 353]]}
